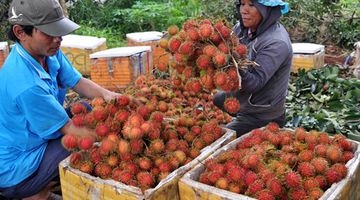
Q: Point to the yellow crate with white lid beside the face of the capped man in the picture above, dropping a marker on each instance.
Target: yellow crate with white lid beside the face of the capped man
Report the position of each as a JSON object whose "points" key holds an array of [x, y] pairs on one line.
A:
{"points": [[78, 48]]}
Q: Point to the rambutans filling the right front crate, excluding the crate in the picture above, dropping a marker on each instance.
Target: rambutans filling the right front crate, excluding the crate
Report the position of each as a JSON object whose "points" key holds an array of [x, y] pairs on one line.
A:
{"points": [[273, 163]]}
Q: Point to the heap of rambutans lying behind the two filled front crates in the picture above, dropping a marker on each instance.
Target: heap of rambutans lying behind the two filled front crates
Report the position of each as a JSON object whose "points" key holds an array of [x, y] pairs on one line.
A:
{"points": [[175, 102]]}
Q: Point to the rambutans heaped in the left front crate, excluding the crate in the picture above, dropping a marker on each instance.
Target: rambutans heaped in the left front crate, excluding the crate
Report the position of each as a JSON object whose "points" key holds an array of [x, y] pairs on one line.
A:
{"points": [[134, 145]]}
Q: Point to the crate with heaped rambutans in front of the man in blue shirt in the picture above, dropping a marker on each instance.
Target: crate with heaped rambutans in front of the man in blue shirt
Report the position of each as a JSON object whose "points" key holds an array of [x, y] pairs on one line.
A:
{"points": [[136, 153]]}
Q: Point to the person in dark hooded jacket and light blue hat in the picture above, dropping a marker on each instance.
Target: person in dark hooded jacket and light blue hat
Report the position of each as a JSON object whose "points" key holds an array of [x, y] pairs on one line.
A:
{"points": [[264, 87]]}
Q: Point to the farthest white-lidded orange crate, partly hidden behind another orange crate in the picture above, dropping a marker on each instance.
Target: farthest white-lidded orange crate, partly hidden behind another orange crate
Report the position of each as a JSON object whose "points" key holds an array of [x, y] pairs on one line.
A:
{"points": [[150, 38]]}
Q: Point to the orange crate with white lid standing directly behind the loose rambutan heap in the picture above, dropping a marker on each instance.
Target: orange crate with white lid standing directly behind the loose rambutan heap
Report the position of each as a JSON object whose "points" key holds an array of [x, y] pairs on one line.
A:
{"points": [[116, 68]]}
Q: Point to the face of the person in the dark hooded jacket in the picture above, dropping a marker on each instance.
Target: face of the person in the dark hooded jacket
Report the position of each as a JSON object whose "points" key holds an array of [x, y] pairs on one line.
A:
{"points": [[251, 17]]}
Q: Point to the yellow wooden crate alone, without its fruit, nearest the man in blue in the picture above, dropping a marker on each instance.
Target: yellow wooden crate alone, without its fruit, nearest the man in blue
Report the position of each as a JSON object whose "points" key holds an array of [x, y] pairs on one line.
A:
{"points": [[76, 185]]}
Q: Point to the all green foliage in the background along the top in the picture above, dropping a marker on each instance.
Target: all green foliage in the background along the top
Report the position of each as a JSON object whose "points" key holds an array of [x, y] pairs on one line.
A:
{"points": [[318, 21]]}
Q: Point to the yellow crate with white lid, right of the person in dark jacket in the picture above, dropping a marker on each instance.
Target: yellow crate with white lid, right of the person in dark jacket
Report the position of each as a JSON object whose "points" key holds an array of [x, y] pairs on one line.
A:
{"points": [[307, 56]]}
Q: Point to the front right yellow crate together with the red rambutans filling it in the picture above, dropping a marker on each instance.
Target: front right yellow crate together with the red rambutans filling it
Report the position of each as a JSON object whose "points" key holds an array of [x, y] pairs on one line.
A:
{"points": [[274, 163]]}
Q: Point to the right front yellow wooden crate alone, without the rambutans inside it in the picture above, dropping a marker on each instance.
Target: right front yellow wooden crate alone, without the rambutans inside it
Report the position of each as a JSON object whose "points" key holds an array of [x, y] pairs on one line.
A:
{"points": [[190, 188]]}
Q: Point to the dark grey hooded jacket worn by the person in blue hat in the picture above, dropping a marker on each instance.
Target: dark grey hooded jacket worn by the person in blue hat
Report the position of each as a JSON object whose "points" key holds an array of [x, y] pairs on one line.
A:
{"points": [[264, 87]]}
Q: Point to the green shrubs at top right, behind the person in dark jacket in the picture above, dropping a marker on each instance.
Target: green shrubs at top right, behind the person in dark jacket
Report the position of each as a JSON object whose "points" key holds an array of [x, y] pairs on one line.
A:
{"points": [[323, 21]]}
